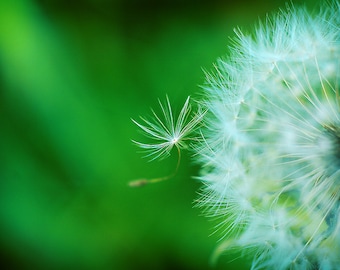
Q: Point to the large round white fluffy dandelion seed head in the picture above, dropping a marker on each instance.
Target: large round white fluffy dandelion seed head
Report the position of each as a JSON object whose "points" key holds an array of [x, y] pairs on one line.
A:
{"points": [[270, 152]]}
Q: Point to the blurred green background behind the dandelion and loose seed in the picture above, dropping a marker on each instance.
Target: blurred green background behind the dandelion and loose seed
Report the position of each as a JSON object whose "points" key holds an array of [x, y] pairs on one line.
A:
{"points": [[72, 74]]}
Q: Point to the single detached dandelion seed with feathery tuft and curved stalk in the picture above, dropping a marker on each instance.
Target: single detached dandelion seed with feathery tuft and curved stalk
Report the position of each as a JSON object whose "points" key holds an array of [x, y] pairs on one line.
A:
{"points": [[166, 133]]}
